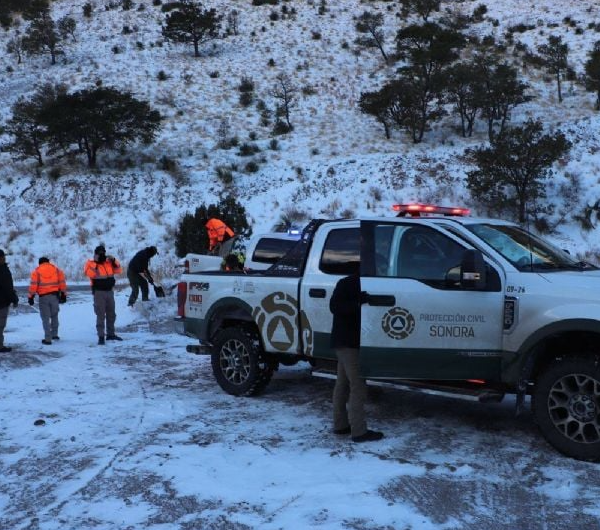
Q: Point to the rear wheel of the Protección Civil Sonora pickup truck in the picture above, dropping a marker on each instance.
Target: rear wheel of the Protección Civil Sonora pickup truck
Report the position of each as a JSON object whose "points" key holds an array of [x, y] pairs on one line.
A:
{"points": [[238, 363]]}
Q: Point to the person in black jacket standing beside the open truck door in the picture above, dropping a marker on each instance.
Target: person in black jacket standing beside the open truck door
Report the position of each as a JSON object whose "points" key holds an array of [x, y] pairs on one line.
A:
{"points": [[350, 388]]}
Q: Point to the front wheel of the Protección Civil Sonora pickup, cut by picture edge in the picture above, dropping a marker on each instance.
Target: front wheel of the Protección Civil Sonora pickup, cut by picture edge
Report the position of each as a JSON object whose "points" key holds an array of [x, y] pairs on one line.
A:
{"points": [[566, 406]]}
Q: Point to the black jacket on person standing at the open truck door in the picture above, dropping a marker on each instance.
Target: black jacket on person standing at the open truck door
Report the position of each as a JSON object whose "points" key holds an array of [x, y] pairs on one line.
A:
{"points": [[345, 305]]}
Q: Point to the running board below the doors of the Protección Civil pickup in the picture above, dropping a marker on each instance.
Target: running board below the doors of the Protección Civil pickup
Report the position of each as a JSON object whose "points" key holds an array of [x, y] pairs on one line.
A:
{"points": [[484, 395]]}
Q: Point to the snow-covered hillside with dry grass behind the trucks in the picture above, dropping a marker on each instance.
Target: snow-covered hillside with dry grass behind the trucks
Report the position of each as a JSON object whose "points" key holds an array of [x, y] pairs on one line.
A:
{"points": [[336, 162]]}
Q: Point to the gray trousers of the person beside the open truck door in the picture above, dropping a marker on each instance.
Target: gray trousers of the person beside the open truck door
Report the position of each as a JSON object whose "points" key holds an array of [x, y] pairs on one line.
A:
{"points": [[351, 389]]}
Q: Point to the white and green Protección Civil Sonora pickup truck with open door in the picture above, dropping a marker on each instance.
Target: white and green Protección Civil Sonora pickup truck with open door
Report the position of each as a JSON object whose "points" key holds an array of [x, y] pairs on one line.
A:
{"points": [[475, 306]]}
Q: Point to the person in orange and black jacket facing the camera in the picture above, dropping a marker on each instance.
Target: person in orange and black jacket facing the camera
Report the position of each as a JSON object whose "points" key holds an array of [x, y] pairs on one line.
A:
{"points": [[101, 270]]}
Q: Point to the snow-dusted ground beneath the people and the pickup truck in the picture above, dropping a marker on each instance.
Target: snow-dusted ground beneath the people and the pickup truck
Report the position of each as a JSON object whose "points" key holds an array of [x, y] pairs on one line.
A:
{"points": [[137, 435]]}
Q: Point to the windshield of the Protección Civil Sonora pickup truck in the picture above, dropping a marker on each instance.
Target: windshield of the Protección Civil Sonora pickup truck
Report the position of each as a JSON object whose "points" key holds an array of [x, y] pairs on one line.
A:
{"points": [[526, 251]]}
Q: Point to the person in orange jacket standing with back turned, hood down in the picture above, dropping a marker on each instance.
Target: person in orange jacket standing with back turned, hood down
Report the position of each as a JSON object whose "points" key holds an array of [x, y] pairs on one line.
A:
{"points": [[48, 282]]}
